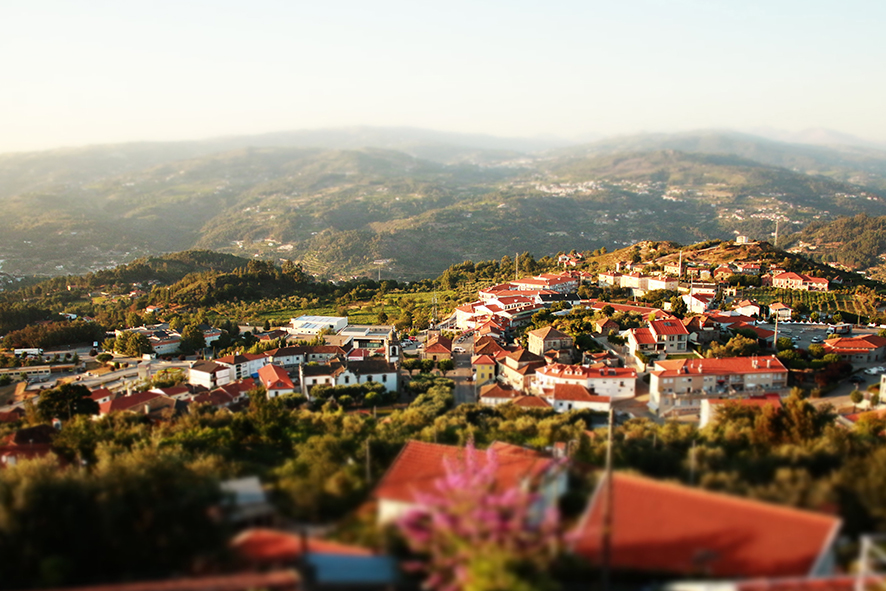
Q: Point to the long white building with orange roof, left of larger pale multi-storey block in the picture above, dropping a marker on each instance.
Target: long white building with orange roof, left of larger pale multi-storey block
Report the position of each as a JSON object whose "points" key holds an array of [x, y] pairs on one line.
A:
{"points": [[617, 383]]}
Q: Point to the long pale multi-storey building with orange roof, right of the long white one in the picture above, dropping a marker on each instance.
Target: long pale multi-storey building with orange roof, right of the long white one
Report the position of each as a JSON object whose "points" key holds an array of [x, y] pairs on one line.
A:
{"points": [[679, 385]]}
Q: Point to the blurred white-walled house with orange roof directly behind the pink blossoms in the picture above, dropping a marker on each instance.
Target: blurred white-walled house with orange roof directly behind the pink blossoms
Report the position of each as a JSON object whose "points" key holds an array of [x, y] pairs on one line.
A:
{"points": [[419, 466]]}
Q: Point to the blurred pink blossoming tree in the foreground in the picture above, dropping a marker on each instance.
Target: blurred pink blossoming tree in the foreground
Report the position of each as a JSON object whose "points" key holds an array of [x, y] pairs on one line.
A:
{"points": [[478, 535]]}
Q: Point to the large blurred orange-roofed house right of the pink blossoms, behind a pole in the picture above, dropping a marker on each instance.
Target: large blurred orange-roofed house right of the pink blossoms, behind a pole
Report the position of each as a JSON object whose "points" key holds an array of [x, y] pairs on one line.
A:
{"points": [[663, 528]]}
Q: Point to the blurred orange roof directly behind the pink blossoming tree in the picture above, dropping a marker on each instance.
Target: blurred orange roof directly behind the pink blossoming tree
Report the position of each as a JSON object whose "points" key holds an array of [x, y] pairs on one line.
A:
{"points": [[419, 465]]}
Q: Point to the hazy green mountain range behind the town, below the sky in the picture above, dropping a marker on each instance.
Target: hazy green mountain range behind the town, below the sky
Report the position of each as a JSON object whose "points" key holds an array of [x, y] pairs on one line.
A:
{"points": [[409, 202]]}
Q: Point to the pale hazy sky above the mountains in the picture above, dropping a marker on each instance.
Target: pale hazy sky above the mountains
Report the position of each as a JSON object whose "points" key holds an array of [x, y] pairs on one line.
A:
{"points": [[107, 71]]}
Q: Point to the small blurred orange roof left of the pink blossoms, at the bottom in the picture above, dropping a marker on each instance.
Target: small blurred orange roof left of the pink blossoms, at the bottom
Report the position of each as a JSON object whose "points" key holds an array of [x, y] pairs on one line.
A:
{"points": [[272, 546]]}
